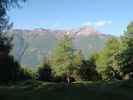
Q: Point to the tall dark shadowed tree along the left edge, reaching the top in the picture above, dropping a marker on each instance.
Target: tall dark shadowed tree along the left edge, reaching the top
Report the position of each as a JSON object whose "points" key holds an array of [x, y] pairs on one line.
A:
{"points": [[9, 67]]}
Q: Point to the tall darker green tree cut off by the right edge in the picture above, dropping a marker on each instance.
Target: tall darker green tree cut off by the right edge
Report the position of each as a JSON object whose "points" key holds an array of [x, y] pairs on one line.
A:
{"points": [[125, 55]]}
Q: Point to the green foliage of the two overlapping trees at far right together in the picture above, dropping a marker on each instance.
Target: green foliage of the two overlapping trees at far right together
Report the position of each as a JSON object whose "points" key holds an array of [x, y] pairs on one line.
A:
{"points": [[115, 61]]}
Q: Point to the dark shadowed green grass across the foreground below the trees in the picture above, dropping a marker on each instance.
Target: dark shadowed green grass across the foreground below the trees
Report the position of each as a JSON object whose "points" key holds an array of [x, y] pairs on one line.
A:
{"points": [[36, 90]]}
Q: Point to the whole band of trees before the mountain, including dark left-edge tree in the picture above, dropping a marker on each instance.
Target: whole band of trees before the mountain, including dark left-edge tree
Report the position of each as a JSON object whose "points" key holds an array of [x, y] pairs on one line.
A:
{"points": [[66, 64]]}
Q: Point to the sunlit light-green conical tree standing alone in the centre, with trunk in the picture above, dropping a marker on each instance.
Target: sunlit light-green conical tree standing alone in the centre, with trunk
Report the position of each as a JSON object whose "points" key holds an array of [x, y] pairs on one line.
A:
{"points": [[65, 60]]}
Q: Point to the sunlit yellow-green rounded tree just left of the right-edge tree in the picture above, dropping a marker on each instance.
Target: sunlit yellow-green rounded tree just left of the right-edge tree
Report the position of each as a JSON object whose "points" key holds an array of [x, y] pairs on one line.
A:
{"points": [[105, 61]]}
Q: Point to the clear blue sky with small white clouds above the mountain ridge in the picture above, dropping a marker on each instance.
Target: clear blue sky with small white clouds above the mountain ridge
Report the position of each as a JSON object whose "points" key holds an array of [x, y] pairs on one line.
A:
{"points": [[107, 16]]}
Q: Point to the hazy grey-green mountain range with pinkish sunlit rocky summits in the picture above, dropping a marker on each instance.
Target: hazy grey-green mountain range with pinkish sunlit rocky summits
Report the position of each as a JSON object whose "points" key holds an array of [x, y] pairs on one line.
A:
{"points": [[35, 44]]}
